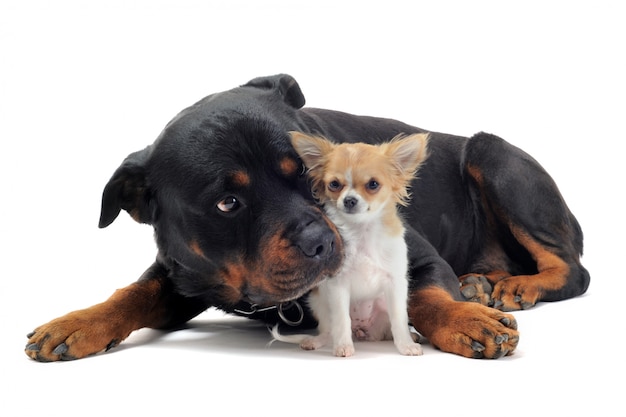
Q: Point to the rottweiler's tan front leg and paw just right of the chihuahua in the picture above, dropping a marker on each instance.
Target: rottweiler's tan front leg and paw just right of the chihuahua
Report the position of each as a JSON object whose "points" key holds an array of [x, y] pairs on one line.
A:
{"points": [[467, 329]]}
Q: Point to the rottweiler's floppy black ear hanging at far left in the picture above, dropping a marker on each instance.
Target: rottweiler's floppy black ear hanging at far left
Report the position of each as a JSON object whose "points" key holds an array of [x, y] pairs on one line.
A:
{"points": [[128, 189]]}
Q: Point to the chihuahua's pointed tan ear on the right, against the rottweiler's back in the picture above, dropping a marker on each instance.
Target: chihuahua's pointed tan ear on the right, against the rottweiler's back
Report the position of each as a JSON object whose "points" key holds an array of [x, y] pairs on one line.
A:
{"points": [[408, 152]]}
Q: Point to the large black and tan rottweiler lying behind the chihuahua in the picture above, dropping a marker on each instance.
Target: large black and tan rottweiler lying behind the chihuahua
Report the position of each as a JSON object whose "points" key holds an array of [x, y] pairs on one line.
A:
{"points": [[237, 228]]}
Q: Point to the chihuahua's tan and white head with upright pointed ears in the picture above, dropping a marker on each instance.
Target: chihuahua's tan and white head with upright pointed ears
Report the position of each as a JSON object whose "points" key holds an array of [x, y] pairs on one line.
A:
{"points": [[359, 179]]}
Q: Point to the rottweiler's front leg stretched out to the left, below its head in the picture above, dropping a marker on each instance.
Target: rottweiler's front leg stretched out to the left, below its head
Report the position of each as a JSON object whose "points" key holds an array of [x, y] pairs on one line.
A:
{"points": [[148, 302]]}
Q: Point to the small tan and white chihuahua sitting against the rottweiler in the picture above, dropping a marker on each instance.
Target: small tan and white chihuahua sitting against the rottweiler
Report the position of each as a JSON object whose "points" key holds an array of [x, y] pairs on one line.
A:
{"points": [[360, 186]]}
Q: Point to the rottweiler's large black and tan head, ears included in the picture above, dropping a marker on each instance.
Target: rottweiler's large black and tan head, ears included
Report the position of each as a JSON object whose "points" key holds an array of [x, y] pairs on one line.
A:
{"points": [[226, 194]]}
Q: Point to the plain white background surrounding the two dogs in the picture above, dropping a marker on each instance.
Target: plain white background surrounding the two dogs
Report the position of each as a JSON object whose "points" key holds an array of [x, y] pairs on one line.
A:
{"points": [[85, 83]]}
